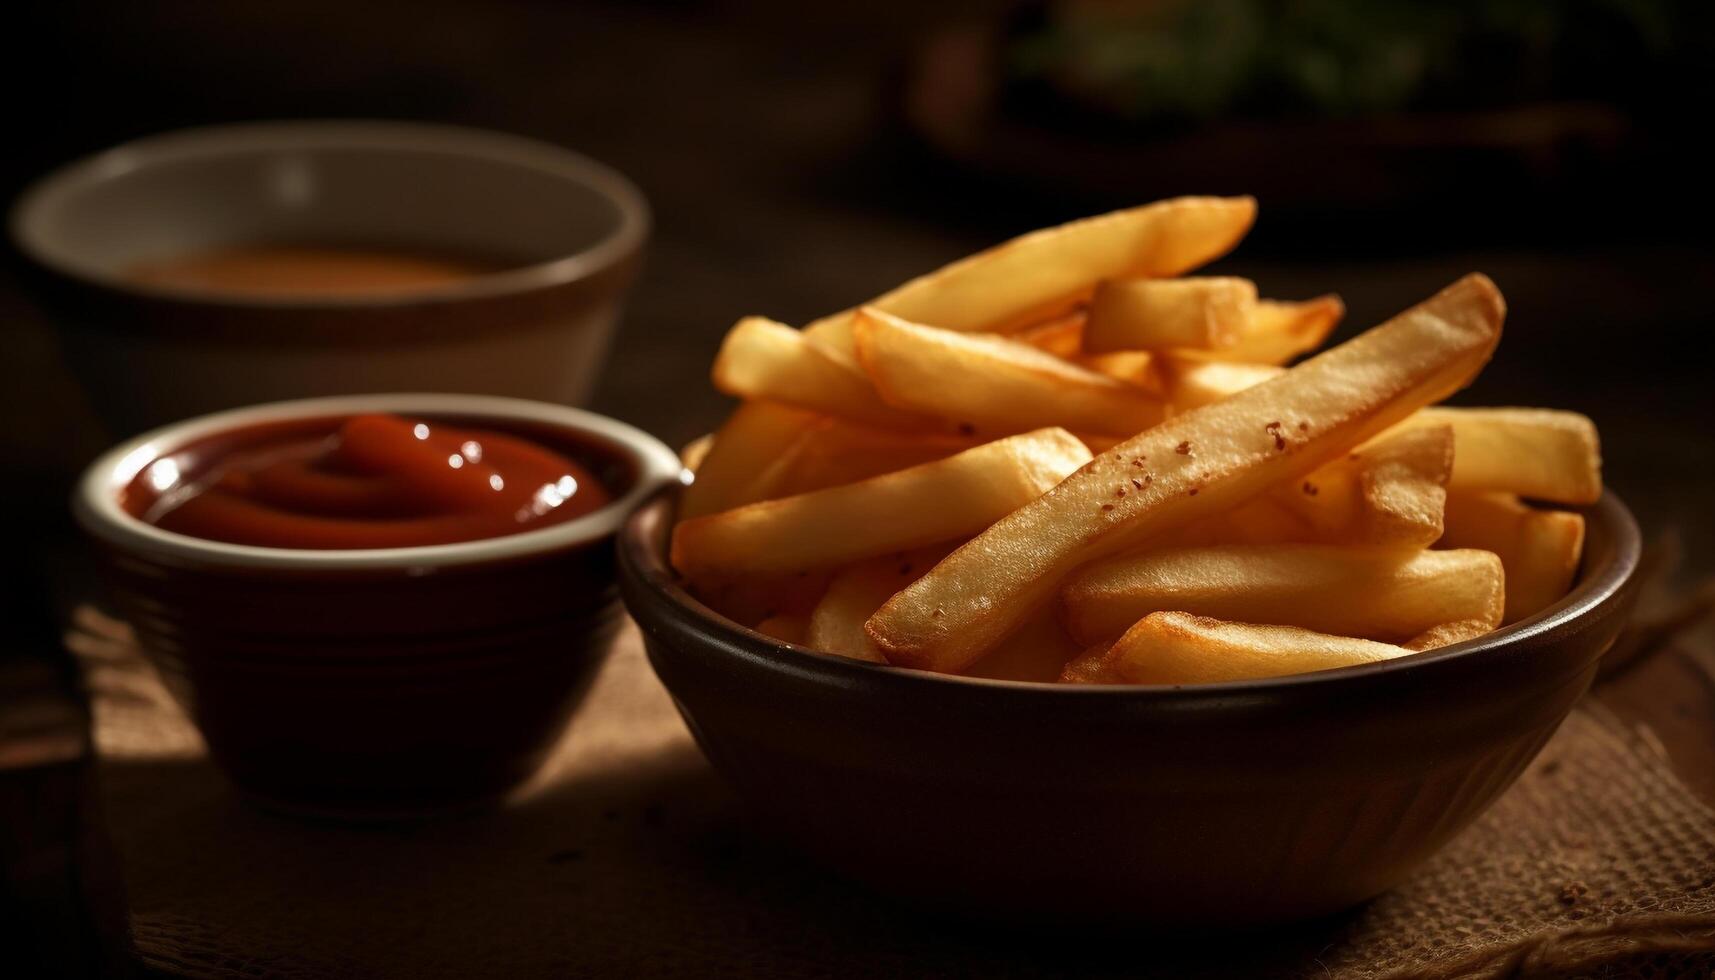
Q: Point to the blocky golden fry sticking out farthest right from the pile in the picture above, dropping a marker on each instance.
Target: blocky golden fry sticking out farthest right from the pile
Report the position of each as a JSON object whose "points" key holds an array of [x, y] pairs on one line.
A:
{"points": [[1541, 454]]}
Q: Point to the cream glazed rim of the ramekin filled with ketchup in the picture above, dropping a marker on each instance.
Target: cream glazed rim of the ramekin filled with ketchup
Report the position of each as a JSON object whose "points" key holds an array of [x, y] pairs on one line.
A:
{"points": [[95, 502]]}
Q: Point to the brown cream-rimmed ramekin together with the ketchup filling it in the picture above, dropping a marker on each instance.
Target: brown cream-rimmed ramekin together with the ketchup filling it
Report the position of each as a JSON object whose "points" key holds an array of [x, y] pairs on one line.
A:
{"points": [[375, 607]]}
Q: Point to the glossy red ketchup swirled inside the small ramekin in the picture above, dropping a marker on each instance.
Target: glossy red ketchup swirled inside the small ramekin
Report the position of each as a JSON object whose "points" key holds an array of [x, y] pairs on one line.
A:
{"points": [[375, 481]]}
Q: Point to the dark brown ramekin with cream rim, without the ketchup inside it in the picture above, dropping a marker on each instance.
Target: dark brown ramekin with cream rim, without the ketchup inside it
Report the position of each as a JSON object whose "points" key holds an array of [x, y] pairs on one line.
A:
{"points": [[378, 682]]}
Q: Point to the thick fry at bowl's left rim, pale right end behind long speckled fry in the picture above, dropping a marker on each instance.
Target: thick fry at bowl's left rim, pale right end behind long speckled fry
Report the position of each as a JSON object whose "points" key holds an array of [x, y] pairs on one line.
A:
{"points": [[881, 516]]}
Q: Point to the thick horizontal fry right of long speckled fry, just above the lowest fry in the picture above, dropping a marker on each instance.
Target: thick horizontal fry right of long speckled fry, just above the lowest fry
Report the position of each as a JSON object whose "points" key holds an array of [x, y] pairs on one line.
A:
{"points": [[1347, 591]]}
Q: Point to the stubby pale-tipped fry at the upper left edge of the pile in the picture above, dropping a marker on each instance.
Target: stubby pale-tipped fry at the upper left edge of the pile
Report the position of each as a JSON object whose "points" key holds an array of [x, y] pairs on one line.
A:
{"points": [[767, 360]]}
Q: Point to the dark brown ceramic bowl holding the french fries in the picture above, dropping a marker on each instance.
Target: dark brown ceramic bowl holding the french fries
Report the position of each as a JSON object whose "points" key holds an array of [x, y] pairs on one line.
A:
{"points": [[1215, 804]]}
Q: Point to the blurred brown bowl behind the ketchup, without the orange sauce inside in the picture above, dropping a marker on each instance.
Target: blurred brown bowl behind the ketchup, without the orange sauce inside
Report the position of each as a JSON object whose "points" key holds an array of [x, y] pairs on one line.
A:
{"points": [[560, 238]]}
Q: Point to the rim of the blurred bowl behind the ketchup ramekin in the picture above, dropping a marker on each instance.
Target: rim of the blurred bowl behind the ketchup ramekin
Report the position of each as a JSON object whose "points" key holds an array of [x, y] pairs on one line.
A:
{"points": [[318, 135]]}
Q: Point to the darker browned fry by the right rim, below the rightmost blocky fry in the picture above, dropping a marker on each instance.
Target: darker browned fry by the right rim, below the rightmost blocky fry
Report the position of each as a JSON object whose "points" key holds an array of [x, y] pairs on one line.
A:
{"points": [[1539, 548]]}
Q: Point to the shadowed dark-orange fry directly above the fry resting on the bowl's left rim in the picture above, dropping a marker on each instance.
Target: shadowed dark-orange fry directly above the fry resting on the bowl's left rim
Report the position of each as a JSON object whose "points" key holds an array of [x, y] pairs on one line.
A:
{"points": [[838, 452]]}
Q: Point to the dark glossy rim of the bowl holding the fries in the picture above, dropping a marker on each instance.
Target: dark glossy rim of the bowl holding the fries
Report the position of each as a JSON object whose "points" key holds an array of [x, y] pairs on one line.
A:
{"points": [[644, 562]]}
